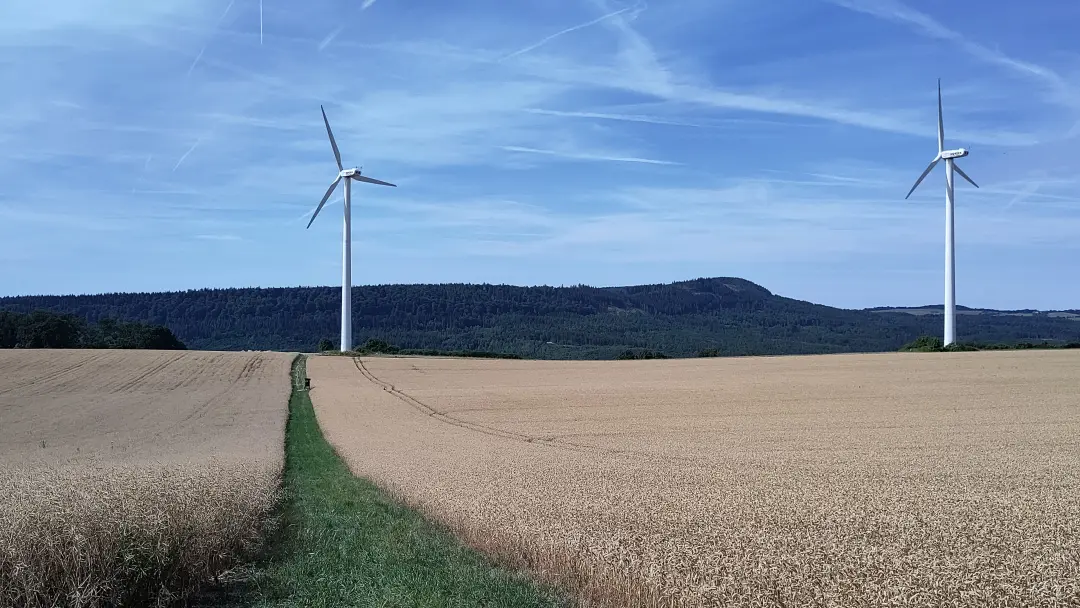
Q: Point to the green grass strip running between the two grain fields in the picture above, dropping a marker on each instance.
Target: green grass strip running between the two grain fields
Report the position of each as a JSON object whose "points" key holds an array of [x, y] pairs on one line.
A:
{"points": [[345, 543]]}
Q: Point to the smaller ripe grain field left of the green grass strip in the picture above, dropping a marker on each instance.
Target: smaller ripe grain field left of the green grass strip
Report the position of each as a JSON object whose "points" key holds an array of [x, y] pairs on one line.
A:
{"points": [[131, 477]]}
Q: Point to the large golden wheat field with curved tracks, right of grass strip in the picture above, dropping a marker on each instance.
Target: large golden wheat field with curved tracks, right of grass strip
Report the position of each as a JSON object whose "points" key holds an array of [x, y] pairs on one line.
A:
{"points": [[884, 480]]}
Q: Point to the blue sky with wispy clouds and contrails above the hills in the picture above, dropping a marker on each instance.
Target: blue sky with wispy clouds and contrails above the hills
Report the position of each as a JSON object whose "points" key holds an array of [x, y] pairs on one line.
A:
{"points": [[178, 144]]}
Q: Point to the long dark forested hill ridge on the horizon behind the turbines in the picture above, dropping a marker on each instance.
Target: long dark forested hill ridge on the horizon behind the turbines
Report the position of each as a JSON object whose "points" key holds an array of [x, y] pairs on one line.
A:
{"points": [[732, 316]]}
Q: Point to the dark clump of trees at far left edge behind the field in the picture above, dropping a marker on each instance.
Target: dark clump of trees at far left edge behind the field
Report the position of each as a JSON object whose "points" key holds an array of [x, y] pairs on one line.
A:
{"points": [[44, 330]]}
